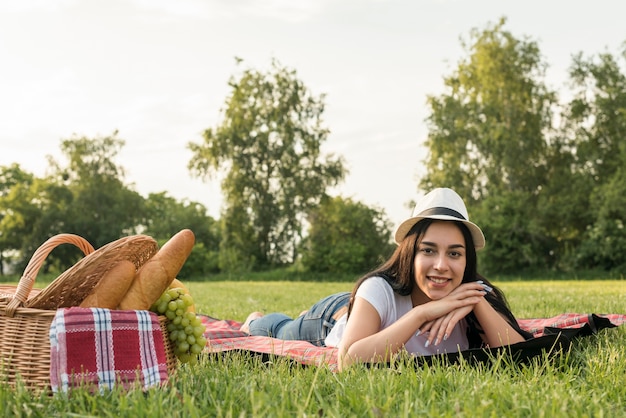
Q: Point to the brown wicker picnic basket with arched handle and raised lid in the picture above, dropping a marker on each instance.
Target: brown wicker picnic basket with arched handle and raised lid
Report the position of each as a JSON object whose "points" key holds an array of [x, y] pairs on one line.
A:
{"points": [[26, 313]]}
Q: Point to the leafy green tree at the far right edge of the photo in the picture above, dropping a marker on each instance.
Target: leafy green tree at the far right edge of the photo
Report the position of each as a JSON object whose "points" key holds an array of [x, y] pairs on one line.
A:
{"points": [[597, 125]]}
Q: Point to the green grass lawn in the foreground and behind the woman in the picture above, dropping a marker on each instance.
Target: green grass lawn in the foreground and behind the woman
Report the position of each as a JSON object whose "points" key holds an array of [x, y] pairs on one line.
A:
{"points": [[589, 381]]}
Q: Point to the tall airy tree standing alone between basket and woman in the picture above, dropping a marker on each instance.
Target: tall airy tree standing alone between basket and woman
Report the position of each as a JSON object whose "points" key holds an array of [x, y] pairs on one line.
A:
{"points": [[268, 148]]}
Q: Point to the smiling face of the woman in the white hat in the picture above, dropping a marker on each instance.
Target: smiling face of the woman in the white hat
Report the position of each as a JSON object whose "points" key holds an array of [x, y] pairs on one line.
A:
{"points": [[440, 260]]}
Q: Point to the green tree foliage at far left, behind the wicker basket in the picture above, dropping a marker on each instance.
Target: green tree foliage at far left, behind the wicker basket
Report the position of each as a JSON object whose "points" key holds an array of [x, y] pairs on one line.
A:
{"points": [[86, 195]]}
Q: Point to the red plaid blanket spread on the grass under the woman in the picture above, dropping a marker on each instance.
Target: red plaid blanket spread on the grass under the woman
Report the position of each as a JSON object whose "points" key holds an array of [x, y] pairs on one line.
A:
{"points": [[224, 335]]}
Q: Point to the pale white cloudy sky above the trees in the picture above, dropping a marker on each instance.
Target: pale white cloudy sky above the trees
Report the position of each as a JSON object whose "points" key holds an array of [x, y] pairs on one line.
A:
{"points": [[157, 71]]}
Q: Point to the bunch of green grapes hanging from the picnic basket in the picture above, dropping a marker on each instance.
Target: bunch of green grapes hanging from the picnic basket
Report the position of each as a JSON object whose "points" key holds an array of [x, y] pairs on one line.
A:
{"points": [[185, 329]]}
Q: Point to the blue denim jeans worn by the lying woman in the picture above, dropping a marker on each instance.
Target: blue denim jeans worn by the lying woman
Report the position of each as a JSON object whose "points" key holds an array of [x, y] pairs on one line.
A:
{"points": [[313, 326]]}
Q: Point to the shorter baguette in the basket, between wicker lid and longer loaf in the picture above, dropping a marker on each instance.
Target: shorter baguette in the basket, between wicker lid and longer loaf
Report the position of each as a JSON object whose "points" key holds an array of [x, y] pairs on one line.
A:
{"points": [[112, 287]]}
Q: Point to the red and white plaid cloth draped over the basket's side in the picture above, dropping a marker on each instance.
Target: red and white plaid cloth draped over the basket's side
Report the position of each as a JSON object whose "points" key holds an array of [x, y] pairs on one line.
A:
{"points": [[103, 347]]}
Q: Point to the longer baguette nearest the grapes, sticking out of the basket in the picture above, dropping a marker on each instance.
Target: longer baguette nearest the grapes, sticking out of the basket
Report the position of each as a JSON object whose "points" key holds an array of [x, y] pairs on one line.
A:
{"points": [[154, 277]]}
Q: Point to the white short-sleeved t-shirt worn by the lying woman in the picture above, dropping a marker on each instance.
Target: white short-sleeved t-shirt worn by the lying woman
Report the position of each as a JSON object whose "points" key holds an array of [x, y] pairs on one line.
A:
{"points": [[391, 306]]}
